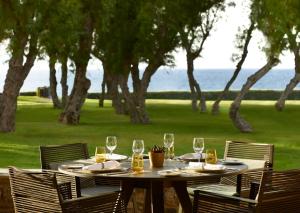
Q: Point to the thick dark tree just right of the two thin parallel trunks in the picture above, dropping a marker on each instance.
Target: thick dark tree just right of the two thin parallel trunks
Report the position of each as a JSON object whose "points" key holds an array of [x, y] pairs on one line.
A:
{"points": [[81, 55]]}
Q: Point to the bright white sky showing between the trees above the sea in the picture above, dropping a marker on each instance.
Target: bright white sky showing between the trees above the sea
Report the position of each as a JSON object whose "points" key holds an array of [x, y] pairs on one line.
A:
{"points": [[217, 51]]}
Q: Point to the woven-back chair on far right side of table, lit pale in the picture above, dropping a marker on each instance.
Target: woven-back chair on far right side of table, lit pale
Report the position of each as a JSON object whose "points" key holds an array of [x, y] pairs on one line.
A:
{"points": [[257, 153]]}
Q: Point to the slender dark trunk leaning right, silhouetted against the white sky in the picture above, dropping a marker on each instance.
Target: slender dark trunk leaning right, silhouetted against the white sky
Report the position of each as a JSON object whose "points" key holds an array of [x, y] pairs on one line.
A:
{"points": [[216, 105]]}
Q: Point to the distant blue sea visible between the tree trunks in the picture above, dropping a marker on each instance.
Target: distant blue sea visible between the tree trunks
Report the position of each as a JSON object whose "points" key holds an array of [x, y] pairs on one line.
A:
{"points": [[173, 79]]}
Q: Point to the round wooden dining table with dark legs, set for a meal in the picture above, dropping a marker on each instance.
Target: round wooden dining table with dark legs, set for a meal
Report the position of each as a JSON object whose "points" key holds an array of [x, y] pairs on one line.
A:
{"points": [[174, 173]]}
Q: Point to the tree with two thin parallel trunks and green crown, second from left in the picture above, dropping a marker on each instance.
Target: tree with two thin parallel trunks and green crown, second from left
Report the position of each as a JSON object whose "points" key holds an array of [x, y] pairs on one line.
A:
{"points": [[59, 41]]}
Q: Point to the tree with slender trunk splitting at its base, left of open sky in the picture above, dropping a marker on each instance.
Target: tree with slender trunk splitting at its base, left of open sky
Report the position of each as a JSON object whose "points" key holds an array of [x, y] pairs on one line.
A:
{"points": [[195, 27]]}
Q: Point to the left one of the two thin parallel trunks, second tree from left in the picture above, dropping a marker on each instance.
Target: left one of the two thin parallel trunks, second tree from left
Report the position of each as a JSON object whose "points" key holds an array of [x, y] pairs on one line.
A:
{"points": [[53, 83]]}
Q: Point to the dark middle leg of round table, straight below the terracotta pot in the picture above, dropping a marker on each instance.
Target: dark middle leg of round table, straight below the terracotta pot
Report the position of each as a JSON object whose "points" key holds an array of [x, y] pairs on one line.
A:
{"points": [[157, 193]]}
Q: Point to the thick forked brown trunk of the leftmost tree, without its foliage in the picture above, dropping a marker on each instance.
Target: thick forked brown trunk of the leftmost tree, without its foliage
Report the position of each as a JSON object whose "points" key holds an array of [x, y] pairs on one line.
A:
{"points": [[16, 74]]}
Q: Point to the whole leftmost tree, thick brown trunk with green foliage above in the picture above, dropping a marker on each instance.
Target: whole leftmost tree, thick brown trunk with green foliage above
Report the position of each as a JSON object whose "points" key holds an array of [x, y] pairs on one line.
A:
{"points": [[24, 23]]}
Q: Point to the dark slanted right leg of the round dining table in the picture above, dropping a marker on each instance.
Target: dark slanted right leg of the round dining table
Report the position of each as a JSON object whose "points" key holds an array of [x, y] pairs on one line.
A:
{"points": [[183, 196]]}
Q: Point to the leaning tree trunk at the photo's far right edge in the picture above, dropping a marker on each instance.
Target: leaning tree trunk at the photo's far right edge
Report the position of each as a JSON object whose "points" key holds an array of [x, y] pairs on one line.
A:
{"points": [[292, 84]]}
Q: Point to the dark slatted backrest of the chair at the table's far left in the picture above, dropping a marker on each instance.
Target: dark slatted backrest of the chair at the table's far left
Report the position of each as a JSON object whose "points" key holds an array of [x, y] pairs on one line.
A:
{"points": [[49, 155]]}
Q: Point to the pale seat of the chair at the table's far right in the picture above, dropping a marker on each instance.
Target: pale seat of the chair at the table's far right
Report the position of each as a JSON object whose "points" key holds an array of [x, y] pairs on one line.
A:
{"points": [[219, 188]]}
